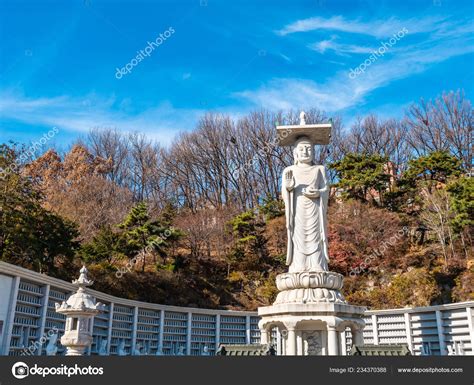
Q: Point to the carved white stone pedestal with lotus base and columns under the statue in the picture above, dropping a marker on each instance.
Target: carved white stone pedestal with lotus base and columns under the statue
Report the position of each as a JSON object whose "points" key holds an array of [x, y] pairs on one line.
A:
{"points": [[311, 315]]}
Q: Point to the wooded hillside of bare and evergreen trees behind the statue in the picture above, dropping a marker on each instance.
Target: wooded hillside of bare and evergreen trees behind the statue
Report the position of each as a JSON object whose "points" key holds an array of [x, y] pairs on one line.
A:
{"points": [[200, 222]]}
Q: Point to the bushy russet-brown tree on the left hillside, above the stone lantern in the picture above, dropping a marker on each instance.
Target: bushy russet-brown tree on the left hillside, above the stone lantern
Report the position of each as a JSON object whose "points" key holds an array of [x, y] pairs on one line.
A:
{"points": [[76, 188]]}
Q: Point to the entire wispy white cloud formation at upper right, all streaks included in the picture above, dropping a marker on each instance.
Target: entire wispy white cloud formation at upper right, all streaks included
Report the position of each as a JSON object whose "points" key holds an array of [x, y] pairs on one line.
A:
{"points": [[445, 39]]}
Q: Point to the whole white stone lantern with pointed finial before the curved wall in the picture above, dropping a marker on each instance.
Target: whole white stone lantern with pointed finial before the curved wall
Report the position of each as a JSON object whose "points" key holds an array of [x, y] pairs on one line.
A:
{"points": [[80, 309]]}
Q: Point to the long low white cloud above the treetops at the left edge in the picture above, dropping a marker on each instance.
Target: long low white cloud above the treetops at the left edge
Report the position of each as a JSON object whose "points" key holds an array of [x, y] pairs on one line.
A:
{"points": [[161, 122]]}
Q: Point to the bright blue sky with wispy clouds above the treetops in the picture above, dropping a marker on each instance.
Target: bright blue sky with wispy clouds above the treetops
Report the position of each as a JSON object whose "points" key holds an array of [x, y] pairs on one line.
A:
{"points": [[58, 61]]}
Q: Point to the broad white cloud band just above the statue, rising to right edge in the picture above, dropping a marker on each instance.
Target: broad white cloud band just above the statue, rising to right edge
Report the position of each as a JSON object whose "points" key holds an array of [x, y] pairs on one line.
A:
{"points": [[340, 91]]}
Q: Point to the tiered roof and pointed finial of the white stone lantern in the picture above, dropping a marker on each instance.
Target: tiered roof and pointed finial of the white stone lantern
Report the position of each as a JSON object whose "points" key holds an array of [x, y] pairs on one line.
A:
{"points": [[80, 302]]}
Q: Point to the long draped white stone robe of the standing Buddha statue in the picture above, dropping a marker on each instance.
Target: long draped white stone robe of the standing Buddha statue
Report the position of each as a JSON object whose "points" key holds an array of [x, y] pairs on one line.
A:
{"points": [[306, 220]]}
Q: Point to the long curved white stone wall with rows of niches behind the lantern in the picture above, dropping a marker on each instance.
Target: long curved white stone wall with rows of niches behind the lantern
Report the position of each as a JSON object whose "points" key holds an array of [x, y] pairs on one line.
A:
{"points": [[427, 330]]}
